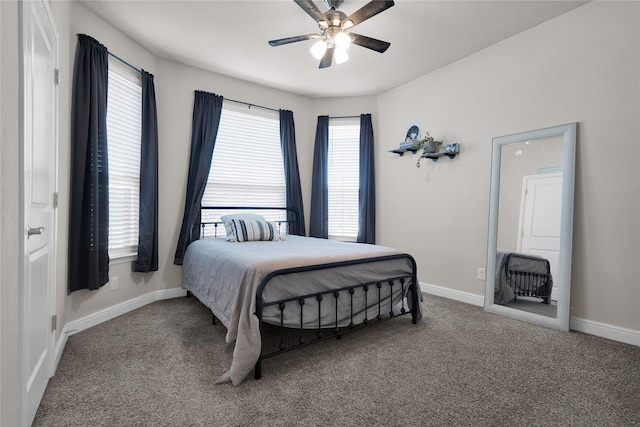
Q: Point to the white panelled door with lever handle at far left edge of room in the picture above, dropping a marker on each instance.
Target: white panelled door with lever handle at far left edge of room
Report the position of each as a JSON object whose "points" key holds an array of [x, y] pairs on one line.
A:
{"points": [[39, 119]]}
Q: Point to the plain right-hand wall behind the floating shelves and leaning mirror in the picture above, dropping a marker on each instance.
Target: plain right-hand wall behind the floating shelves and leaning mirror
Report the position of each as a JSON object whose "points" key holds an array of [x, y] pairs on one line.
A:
{"points": [[580, 67]]}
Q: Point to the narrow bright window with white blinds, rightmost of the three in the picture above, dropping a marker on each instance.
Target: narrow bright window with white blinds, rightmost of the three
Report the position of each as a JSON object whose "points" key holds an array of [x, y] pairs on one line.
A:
{"points": [[343, 176]]}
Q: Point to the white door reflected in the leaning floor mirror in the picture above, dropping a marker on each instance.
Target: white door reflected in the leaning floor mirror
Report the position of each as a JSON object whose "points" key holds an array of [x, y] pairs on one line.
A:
{"points": [[540, 219]]}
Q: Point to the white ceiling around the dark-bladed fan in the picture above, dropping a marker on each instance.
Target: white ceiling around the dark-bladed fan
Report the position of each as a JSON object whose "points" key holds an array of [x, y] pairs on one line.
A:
{"points": [[230, 37]]}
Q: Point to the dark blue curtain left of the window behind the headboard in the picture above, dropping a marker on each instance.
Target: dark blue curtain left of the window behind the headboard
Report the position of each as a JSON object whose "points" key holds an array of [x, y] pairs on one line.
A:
{"points": [[207, 108]]}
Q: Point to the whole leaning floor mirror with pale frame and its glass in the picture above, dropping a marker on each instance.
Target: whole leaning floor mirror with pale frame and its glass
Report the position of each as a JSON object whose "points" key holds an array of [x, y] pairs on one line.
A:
{"points": [[528, 274]]}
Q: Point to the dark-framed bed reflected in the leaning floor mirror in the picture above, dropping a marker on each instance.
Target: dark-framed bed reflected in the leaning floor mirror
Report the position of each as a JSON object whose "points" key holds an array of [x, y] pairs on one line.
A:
{"points": [[519, 274]]}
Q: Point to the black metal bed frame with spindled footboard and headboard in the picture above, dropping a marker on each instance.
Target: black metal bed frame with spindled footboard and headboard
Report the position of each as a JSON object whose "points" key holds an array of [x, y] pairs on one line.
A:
{"points": [[303, 337]]}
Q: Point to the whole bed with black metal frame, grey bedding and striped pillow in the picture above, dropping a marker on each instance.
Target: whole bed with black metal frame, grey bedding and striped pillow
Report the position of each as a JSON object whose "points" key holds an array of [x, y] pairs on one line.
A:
{"points": [[309, 289]]}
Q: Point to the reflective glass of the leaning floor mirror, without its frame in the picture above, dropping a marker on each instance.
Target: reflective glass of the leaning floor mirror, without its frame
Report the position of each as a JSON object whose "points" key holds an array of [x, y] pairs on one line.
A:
{"points": [[529, 224]]}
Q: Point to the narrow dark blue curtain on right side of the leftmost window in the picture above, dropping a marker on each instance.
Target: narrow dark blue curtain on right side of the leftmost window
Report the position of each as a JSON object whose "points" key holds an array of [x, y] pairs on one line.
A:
{"points": [[148, 215]]}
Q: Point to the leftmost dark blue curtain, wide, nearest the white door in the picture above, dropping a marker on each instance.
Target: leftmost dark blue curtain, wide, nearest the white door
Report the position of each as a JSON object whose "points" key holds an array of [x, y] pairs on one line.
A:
{"points": [[88, 266]]}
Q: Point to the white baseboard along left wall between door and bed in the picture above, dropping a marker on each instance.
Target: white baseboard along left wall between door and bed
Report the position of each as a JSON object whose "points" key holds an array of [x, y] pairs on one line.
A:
{"points": [[110, 313]]}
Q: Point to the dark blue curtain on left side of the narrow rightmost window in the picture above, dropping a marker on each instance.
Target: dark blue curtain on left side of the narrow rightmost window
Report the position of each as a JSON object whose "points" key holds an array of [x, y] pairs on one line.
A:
{"points": [[318, 223]]}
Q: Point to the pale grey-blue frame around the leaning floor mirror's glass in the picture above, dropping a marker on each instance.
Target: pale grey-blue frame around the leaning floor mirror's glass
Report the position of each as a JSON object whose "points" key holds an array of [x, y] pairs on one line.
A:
{"points": [[568, 132]]}
